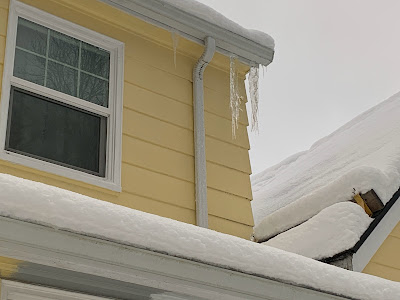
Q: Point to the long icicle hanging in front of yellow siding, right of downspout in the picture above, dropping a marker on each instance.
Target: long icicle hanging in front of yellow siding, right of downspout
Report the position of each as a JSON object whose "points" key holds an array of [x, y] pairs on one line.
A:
{"points": [[235, 98]]}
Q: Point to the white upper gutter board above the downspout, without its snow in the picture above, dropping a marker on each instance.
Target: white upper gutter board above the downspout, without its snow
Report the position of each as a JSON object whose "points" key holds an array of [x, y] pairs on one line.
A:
{"points": [[196, 29]]}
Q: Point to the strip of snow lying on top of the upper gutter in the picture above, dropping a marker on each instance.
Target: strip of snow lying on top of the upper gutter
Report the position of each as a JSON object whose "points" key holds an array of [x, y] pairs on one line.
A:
{"points": [[208, 14]]}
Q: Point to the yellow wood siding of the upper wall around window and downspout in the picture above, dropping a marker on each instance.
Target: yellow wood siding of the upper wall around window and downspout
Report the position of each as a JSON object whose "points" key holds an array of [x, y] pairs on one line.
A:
{"points": [[157, 141]]}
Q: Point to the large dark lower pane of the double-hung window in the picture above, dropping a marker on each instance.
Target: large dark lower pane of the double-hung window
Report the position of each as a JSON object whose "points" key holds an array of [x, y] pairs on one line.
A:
{"points": [[53, 132]]}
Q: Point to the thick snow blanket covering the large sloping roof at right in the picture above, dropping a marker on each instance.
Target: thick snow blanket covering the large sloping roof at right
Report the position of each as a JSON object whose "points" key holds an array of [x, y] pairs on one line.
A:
{"points": [[363, 154]]}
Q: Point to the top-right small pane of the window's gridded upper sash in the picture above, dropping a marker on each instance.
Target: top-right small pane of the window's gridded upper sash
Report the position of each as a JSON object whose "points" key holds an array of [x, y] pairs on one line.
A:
{"points": [[95, 61]]}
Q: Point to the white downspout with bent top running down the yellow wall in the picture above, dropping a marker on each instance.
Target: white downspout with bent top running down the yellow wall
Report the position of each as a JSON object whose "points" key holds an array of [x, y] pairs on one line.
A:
{"points": [[199, 133]]}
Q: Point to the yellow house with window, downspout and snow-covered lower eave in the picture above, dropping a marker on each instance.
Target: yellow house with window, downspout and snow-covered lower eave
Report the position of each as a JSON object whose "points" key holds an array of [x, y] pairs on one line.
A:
{"points": [[116, 140]]}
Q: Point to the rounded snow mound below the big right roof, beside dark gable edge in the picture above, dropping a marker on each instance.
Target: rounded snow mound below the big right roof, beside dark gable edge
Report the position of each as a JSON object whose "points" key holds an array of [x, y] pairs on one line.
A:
{"points": [[334, 230]]}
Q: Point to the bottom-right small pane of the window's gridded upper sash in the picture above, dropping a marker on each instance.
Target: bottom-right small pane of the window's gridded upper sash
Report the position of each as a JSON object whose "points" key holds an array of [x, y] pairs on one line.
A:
{"points": [[93, 89]]}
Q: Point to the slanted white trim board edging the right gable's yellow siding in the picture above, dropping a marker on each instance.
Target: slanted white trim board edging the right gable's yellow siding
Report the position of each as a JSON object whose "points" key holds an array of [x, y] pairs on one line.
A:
{"points": [[376, 238]]}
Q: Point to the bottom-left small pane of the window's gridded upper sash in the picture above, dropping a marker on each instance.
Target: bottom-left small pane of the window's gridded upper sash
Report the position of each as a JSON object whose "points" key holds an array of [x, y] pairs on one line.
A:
{"points": [[29, 67]]}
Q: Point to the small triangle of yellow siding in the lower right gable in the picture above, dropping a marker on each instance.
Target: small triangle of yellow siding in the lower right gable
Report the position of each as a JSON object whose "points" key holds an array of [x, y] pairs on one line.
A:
{"points": [[386, 263]]}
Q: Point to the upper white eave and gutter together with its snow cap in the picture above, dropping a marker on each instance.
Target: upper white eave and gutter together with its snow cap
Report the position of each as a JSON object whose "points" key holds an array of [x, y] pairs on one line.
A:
{"points": [[195, 21]]}
